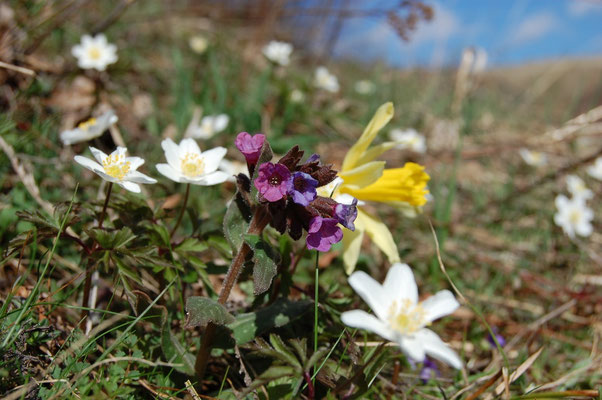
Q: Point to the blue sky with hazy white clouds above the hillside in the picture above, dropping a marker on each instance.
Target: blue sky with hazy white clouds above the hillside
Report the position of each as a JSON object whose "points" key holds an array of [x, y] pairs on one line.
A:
{"points": [[510, 32]]}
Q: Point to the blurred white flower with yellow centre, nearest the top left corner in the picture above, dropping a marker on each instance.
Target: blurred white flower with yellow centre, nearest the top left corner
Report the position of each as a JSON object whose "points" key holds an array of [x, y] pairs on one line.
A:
{"points": [[94, 52]]}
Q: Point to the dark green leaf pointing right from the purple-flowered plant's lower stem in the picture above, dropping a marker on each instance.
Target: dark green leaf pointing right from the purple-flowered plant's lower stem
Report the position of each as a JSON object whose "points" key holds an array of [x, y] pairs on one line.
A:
{"points": [[248, 326]]}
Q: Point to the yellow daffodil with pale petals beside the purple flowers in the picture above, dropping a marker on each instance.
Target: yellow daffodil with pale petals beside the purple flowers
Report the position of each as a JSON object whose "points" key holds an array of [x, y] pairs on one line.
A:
{"points": [[366, 179]]}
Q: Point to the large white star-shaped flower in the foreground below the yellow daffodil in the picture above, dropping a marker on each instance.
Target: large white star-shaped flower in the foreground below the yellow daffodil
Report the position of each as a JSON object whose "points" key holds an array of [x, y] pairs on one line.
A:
{"points": [[400, 318]]}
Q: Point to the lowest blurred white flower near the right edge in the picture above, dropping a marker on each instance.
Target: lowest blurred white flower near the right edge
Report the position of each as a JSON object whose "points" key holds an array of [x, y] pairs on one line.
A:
{"points": [[573, 216]]}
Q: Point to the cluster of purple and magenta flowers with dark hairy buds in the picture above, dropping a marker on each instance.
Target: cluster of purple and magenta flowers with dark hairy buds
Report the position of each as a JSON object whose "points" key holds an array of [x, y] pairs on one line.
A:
{"points": [[289, 188]]}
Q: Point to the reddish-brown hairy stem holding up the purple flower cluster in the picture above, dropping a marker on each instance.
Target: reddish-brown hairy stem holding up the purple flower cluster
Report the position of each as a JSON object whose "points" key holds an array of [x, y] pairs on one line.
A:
{"points": [[259, 221]]}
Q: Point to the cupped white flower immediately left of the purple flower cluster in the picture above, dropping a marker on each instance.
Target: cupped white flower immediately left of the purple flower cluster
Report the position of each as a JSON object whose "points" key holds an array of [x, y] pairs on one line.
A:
{"points": [[187, 164]]}
